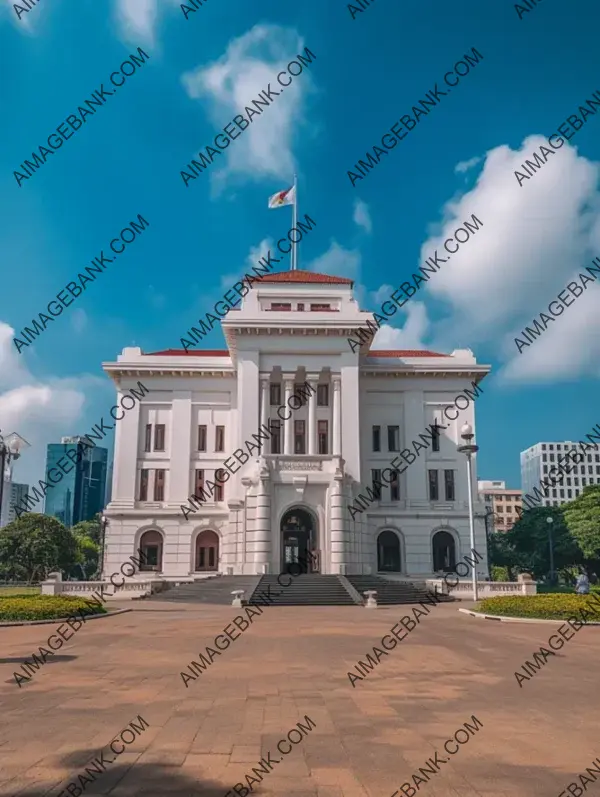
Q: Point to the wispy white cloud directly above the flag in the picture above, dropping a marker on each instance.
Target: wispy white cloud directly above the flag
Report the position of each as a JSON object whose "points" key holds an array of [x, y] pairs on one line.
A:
{"points": [[228, 85]]}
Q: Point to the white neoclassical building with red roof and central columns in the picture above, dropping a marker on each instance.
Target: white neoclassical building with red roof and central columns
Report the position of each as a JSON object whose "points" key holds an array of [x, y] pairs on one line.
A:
{"points": [[300, 492]]}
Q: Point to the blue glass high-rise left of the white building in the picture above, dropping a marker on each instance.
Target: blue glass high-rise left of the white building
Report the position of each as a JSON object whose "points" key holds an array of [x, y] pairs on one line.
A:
{"points": [[81, 492]]}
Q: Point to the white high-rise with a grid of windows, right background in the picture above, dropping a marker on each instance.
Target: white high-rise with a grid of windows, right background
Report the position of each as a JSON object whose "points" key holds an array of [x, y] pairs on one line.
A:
{"points": [[538, 460]]}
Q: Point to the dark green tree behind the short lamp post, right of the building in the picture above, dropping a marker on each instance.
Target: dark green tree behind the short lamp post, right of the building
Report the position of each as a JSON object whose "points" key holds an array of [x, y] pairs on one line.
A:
{"points": [[529, 538]]}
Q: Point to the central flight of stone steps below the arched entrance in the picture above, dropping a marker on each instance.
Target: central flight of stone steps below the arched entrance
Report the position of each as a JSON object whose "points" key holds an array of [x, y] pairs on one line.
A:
{"points": [[307, 589]]}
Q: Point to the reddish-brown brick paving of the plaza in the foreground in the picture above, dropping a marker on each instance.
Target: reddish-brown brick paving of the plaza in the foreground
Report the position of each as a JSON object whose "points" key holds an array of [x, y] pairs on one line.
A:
{"points": [[290, 663]]}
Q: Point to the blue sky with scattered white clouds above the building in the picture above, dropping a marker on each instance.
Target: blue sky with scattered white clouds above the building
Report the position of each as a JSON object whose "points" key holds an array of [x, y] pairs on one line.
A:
{"points": [[368, 72]]}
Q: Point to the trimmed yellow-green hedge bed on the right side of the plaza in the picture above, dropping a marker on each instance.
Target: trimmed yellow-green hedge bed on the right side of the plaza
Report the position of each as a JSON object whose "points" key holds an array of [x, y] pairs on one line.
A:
{"points": [[551, 606]]}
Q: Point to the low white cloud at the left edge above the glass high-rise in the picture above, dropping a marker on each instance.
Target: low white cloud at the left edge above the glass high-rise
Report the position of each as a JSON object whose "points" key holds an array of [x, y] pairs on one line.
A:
{"points": [[40, 411]]}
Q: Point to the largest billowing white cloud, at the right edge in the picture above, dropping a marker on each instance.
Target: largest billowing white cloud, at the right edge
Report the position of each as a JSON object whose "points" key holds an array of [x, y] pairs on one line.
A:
{"points": [[534, 239]]}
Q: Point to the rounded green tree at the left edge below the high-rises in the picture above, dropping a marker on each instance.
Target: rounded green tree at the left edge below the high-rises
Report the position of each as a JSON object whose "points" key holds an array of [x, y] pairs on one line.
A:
{"points": [[33, 546]]}
